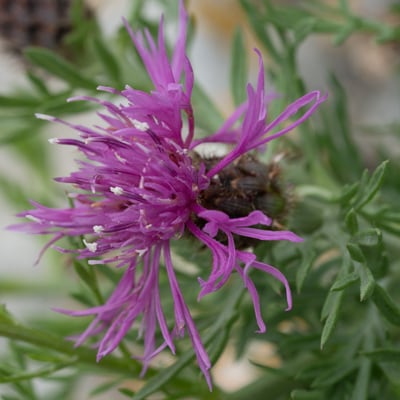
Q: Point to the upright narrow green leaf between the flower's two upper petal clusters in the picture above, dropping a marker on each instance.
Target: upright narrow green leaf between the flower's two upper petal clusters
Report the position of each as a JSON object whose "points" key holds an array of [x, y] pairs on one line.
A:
{"points": [[239, 69]]}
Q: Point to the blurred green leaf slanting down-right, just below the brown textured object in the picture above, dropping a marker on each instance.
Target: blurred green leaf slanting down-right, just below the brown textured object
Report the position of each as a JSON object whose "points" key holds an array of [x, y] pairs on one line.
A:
{"points": [[57, 66]]}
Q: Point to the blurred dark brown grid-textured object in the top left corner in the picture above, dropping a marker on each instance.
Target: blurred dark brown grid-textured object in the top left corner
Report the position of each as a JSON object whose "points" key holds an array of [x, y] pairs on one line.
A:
{"points": [[34, 23]]}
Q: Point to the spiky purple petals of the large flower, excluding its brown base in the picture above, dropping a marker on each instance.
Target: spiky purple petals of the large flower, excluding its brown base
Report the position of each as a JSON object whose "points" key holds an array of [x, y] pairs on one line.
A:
{"points": [[139, 188]]}
